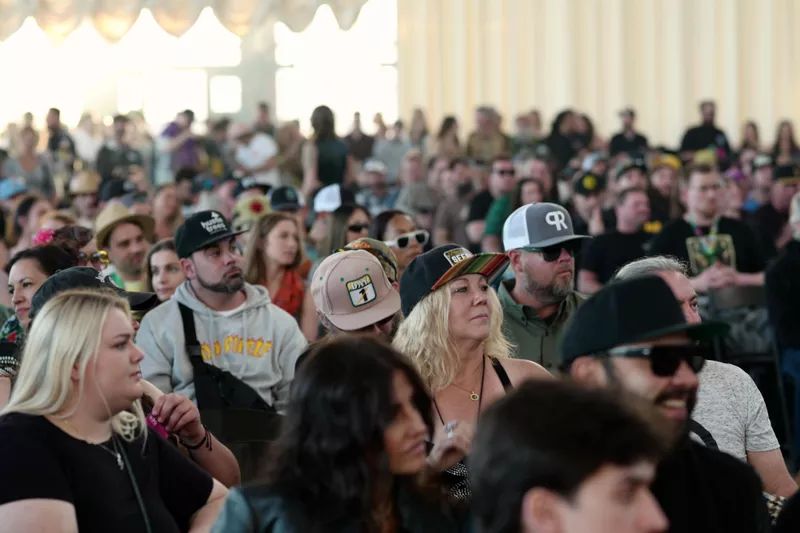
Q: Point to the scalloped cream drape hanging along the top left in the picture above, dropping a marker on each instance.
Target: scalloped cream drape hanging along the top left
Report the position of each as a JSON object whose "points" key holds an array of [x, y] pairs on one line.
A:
{"points": [[113, 18]]}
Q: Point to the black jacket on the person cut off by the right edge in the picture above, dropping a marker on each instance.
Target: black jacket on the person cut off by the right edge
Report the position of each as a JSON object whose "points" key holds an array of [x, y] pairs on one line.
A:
{"points": [[783, 295]]}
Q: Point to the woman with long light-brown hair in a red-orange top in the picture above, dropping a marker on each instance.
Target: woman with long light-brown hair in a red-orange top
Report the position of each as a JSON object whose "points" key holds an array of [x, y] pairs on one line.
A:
{"points": [[274, 252]]}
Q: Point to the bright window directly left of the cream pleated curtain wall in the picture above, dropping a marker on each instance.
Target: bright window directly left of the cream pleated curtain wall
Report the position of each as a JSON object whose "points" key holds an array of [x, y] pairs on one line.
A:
{"points": [[348, 71]]}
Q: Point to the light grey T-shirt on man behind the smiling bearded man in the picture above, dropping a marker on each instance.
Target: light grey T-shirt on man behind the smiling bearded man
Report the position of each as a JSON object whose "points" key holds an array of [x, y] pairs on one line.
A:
{"points": [[731, 408]]}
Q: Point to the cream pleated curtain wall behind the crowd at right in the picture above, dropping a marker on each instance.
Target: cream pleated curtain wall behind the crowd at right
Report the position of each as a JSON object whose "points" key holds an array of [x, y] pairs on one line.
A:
{"points": [[660, 56]]}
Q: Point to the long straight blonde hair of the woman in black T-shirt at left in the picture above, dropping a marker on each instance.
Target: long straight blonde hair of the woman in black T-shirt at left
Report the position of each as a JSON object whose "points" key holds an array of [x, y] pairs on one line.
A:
{"points": [[67, 334]]}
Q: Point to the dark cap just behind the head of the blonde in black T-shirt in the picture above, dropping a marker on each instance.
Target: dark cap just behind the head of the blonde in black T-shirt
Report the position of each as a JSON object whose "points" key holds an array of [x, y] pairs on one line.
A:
{"points": [[87, 278]]}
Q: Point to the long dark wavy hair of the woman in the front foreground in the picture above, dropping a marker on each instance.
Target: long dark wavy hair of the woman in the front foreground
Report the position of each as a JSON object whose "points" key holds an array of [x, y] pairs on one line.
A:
{"points": [[330, 455]]}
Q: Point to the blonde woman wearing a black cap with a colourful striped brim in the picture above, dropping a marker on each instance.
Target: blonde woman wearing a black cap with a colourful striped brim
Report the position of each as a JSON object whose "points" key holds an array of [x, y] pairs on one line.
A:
{"points": [[452, 333]]}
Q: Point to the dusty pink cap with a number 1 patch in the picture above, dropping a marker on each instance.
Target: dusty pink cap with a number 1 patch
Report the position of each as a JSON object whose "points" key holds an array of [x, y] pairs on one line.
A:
{"points": [[351, 289]]}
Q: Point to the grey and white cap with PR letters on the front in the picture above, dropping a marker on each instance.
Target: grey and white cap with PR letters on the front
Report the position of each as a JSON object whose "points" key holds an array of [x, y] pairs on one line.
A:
{"points": [[538, 226]]}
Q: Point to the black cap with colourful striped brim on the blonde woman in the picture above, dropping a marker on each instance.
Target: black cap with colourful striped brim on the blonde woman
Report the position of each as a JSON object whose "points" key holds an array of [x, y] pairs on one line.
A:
{"points": [[434, 268]]}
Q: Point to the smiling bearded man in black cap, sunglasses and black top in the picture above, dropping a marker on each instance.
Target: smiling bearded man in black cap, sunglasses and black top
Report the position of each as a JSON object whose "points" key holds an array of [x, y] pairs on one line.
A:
{"points": [[632, 336]]}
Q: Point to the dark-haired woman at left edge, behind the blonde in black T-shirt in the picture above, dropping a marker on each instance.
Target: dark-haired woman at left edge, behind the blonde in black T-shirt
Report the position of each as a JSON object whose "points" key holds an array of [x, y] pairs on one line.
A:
{"points": [[26, 271]]}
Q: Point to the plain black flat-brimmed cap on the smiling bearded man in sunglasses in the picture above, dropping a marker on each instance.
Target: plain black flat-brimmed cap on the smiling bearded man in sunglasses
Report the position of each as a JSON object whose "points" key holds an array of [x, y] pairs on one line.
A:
{"points": [[627, 312]]}
